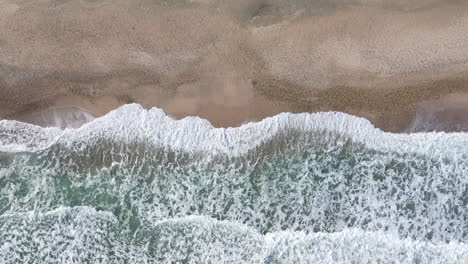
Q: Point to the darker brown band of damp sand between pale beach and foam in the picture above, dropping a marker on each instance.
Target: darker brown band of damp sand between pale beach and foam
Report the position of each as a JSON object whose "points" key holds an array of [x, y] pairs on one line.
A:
{"points": [[391, 108]]}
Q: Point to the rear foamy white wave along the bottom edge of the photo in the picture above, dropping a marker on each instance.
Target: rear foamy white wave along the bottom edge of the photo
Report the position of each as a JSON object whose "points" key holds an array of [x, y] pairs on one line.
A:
{"points": [[83, 234]]}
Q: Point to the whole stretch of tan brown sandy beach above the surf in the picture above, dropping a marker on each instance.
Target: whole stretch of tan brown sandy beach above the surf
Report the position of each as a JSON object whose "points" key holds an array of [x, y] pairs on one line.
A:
{"points": [[233, 61]]}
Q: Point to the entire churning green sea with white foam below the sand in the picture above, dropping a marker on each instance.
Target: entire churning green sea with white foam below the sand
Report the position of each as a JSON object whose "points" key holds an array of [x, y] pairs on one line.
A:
{"points": [[137, 186]]}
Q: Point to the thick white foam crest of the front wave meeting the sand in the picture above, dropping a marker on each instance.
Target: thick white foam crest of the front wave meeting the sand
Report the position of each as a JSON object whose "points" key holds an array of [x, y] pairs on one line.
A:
{"points": [[134, 124]]}
